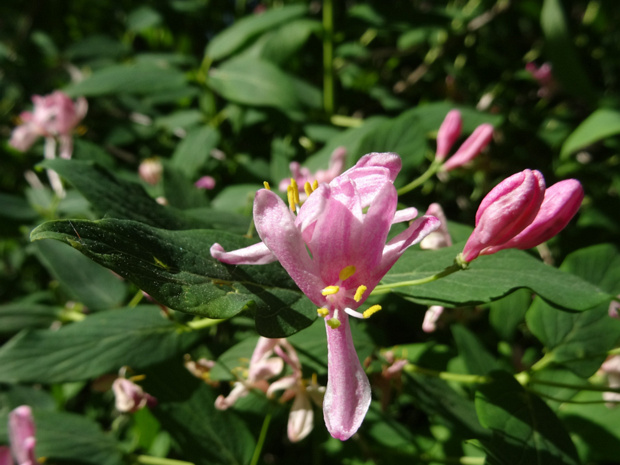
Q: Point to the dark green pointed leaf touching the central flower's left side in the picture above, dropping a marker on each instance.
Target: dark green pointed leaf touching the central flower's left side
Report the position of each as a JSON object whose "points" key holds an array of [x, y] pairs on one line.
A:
{"points": [[176, 268]]}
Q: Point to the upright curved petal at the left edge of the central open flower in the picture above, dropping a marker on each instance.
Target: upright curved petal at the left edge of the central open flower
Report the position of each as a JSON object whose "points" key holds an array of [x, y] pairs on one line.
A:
{"points": [[276, 227]]}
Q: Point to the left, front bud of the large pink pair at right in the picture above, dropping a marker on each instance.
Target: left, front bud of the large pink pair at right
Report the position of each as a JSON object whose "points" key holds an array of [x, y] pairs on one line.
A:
{"points": [[506, 211]]}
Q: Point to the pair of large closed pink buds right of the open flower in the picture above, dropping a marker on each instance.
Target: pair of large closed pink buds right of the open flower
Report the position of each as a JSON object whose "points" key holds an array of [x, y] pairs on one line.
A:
{"points": [[520, 213]]}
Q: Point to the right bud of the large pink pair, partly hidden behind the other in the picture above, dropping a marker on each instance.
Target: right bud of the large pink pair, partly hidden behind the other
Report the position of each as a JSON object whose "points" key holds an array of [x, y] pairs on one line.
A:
{"points": [[561, 203]]}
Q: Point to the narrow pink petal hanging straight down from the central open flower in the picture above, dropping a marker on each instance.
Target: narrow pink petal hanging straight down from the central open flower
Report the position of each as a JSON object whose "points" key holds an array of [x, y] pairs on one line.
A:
{"points": [[347, 397]]}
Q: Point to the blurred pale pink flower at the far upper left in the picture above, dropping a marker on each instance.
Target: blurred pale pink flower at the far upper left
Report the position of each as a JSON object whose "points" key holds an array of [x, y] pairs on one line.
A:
{"points": [[54, 115]]}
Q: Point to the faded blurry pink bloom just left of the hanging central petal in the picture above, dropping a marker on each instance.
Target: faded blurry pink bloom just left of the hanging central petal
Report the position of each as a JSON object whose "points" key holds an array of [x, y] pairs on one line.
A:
{"points": [[264, 365]]}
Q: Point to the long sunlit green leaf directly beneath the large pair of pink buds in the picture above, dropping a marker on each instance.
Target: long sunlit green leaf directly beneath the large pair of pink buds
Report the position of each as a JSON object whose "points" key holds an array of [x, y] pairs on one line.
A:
{"points": [[489, 278]]}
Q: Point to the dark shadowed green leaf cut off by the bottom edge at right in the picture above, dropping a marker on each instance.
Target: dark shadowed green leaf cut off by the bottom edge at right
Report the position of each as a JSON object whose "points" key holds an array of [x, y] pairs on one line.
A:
{"points": [[525, 430]]}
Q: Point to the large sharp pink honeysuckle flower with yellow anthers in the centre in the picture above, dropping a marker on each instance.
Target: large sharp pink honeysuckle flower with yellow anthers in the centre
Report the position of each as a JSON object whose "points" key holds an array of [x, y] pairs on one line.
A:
{"points": [[336, 252]]}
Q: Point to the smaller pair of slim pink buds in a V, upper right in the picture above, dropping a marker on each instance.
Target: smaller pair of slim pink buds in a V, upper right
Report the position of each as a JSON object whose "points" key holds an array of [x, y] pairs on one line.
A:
{"points": [[449, 132]]}
